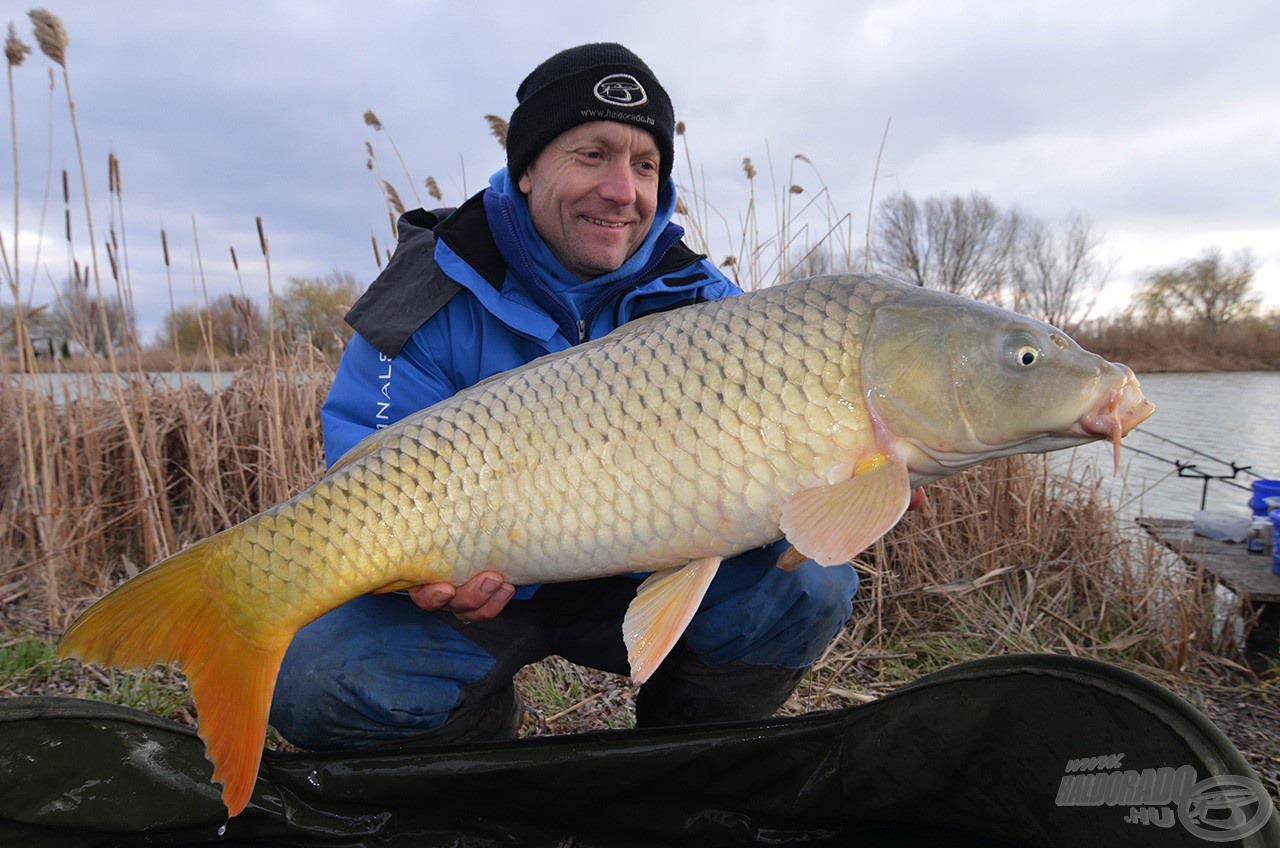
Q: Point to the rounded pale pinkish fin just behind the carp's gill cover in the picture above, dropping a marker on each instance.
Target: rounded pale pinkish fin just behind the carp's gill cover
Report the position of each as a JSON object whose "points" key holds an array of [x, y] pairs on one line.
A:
{"points": [[833, 525]]}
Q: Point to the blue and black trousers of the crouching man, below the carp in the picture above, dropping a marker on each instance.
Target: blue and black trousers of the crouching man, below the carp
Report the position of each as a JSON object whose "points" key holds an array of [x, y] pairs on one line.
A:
{"points": [[380, 669]]}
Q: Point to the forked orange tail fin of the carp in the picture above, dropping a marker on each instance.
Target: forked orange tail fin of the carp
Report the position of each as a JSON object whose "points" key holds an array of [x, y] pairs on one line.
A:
{"points": [[176, 612]]}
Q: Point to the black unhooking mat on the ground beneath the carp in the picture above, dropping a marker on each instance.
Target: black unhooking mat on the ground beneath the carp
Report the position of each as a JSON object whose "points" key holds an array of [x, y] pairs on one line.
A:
{"points": [[1013, 751]]}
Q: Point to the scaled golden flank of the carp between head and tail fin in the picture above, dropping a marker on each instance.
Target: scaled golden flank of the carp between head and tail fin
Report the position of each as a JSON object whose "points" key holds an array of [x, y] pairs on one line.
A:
{"points": [[670, 440]]}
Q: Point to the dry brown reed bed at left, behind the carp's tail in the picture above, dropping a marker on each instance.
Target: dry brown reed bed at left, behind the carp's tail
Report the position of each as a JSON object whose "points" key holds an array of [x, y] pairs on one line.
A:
{"points": [[98, 484]]}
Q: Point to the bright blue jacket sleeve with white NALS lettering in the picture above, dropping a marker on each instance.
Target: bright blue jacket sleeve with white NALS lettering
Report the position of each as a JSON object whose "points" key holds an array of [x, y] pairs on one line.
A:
{"points": [[372, 391]]}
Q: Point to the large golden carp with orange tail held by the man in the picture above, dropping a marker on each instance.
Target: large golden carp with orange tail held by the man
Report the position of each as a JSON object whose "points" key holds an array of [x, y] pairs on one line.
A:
{"points": [[808, 411]]}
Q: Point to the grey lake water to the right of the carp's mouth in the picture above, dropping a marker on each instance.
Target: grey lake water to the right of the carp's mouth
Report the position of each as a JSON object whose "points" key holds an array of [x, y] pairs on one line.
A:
{"points": [[1208, 421]]}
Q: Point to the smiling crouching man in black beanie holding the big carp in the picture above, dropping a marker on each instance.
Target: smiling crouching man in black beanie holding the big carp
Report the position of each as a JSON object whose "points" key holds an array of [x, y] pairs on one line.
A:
{"points": [[568, 243]]}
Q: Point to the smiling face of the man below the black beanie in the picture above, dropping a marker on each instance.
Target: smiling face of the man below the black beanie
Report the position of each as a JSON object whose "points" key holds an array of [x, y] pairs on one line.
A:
{"points": [[593, 193]]}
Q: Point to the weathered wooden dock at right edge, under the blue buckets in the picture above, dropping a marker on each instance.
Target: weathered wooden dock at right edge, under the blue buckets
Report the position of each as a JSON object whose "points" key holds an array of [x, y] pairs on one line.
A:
{"points": [[1249, 576]]}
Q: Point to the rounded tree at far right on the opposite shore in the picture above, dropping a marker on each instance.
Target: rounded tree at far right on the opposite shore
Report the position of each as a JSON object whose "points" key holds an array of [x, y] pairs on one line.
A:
{"points": [[1209, 290]]}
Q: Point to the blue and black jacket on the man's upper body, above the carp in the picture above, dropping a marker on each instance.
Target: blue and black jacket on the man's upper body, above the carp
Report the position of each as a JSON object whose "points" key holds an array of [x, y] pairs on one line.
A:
{"points": [[447, 313]]}
